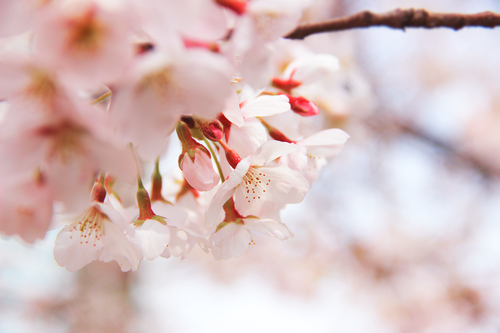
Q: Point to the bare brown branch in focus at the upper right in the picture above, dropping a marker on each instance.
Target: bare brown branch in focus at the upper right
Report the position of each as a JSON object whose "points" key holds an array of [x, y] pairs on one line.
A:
{"points": [[399, 19]]}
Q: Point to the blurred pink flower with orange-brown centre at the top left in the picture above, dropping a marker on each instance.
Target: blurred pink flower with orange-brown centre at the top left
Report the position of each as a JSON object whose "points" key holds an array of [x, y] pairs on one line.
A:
{"points": [[87, 39]]}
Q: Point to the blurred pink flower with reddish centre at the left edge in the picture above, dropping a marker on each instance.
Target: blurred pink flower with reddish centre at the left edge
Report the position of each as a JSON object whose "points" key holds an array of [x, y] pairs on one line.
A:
{"points": [[63, 137]]}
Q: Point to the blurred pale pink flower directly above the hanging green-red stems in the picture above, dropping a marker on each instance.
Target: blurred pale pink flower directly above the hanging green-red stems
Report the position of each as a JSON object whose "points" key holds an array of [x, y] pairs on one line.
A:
{"points": [[160, 87]]}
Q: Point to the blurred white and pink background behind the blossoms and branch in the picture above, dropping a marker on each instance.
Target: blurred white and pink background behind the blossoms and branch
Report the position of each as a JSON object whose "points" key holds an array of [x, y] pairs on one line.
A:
{"points": [[401, 233]]}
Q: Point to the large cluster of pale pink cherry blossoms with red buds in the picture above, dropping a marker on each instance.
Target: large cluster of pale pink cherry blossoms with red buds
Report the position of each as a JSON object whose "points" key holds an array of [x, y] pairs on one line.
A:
{"points": [[93, 91]]}
